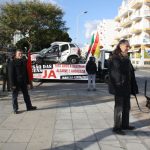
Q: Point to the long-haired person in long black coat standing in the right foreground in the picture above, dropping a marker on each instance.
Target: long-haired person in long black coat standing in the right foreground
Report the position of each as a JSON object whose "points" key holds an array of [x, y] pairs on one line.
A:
{"points": [[122, 85]]}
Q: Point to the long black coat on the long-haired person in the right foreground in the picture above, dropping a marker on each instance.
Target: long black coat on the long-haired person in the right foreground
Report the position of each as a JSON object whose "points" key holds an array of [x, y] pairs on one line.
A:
{"points": [[122, 78]]}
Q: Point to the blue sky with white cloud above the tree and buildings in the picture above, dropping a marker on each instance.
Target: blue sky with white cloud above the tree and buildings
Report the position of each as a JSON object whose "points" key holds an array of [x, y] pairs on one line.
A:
{"points": [[81, 24]]}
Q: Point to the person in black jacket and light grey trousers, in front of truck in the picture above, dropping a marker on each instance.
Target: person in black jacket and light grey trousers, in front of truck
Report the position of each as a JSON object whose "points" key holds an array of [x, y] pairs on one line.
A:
{"points": [[91, 69]]}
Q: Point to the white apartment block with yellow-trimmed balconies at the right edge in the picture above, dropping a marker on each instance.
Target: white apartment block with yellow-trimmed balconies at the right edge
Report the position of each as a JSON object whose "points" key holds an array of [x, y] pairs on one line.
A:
{"points": [[133, 23]]}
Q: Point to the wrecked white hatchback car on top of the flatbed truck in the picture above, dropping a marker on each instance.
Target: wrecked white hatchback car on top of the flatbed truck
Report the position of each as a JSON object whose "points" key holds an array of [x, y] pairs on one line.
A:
{"points": [[63, 52]]}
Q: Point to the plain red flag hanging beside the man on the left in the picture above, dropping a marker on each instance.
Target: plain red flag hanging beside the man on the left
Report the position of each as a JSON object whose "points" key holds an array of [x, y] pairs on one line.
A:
{"points": [[29, 67]]}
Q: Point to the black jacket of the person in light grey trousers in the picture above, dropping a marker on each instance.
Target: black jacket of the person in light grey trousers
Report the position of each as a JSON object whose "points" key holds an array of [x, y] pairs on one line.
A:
{"points": [[91, 67]]}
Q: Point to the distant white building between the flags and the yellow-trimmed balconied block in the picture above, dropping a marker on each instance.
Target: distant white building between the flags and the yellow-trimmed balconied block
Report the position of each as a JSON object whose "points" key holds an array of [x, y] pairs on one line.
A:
{"points": [[106, 30]]}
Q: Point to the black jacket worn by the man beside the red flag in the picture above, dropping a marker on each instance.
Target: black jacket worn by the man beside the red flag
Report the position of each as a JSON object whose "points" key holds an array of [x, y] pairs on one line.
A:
{"points": [[17, 71]]}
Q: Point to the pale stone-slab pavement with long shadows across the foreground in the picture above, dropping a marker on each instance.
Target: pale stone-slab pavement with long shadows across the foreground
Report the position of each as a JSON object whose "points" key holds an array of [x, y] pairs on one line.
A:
{"points": [[69, 118]]}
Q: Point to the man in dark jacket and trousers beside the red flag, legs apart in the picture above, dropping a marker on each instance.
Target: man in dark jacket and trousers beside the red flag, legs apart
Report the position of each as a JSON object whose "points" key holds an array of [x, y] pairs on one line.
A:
{"points": [[19, 80]]}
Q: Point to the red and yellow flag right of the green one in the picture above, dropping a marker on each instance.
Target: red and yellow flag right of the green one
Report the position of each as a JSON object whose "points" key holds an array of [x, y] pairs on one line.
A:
{"points": [[96, 47]]}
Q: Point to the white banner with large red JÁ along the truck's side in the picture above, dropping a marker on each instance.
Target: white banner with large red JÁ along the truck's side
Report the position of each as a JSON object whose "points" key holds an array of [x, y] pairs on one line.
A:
{"points": [[60, 71]]}
